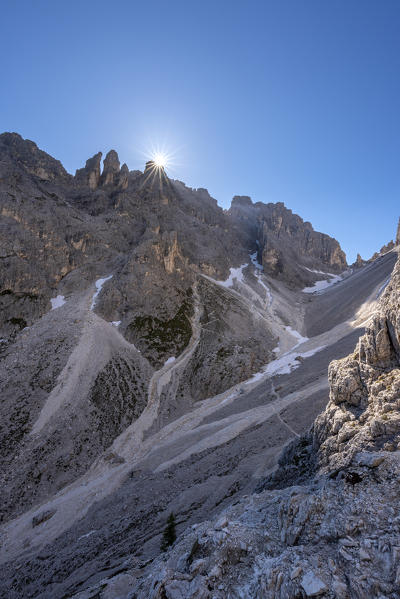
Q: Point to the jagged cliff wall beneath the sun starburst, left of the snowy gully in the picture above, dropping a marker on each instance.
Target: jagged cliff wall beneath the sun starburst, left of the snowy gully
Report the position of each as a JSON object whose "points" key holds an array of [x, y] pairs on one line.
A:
{"points": [[53, 224]]}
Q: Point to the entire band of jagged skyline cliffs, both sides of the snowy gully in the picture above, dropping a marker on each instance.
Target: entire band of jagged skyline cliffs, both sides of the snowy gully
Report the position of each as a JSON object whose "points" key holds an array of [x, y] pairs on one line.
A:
{"points": [[158, 234]]}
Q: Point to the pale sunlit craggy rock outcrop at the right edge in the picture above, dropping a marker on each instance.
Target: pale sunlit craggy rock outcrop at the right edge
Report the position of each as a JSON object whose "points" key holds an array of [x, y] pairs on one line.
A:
{"points": [[363, 412]]}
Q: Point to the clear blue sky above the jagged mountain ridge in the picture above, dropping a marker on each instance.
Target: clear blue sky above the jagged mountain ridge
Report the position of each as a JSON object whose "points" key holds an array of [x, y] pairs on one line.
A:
{"points": [[288, 100]]}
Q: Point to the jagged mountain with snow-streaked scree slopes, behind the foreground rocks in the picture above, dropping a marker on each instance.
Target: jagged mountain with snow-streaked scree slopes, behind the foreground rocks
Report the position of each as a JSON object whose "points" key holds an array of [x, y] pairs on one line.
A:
{"points": [[157, 354]]}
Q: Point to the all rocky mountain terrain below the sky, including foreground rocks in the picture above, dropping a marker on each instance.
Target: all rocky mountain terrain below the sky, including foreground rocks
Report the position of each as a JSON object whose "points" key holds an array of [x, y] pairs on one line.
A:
{"points": [[160, 354]]}
